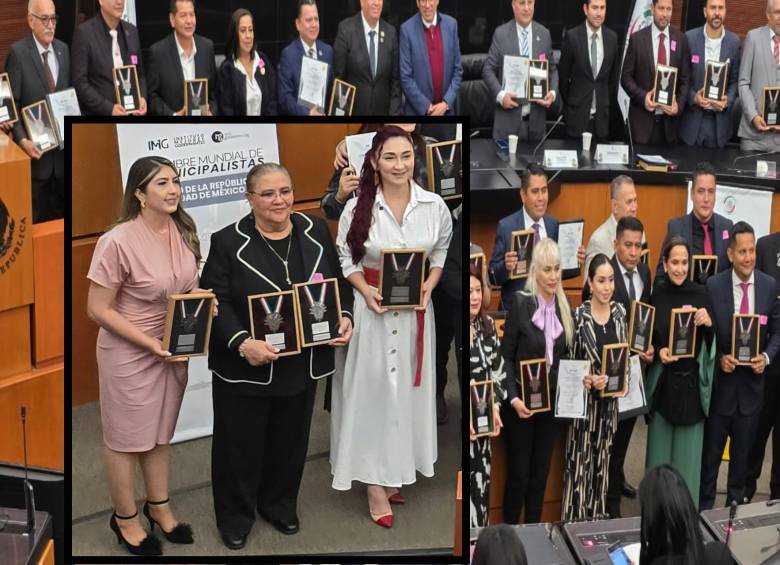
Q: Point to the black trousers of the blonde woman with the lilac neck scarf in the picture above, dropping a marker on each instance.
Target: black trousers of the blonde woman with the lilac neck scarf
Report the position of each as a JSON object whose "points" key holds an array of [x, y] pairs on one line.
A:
{"points": [[529, 447]]}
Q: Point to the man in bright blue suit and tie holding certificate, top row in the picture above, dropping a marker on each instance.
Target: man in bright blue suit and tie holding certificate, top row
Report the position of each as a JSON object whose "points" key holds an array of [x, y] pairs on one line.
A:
{"points": [[307, 23]]}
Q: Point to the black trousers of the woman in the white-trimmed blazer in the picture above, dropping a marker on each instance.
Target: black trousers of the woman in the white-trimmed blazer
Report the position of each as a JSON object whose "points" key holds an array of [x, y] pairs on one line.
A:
{"points": [[257, 455]]}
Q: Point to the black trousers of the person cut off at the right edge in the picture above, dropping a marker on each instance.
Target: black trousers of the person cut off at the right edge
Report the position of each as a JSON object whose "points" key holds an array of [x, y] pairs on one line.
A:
{"points": [[769, 419]]}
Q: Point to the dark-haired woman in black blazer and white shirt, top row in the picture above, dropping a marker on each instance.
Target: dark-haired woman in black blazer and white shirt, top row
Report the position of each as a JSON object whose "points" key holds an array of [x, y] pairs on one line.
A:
{"points": [[239, 96]]}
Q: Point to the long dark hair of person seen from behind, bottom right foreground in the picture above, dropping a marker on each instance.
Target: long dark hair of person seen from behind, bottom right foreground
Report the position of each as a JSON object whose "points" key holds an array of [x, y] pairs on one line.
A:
{"points": [[670, 524]]}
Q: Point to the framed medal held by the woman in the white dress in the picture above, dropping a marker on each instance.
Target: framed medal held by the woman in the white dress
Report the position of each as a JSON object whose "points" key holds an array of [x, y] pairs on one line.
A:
{"points": [[401, 274]]}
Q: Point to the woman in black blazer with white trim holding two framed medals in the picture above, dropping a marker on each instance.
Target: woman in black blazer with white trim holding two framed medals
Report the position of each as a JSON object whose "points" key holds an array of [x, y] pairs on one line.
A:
{"points": [[262, 402]]}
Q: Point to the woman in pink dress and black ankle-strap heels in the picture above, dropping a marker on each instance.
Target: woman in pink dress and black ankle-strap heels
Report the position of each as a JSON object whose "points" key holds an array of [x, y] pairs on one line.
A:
{"points": [[152, 251]]}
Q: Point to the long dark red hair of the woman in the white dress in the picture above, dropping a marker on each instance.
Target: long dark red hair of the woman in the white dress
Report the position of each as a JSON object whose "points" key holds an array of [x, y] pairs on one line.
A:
{"points": [[369, 180]]}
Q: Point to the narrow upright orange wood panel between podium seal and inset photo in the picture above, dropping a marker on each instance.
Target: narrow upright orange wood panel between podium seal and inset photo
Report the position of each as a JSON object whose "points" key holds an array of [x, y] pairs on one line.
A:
{"points": [[49, 307]]}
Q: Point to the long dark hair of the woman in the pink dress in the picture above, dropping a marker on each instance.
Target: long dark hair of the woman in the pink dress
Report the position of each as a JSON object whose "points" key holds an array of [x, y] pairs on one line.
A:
{"points": [[141, 174]]}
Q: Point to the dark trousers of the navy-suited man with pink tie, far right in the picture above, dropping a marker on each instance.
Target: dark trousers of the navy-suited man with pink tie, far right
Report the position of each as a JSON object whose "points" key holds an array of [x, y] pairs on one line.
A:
{"points": [[741, 430]]}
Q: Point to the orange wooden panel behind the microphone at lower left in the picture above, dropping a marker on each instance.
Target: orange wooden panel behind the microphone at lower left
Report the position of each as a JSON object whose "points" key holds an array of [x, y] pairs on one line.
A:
{"points": [[42, 392]]}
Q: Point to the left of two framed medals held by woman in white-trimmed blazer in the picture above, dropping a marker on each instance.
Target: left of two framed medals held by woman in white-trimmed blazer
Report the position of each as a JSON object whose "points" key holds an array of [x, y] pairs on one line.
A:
{"points": [[273, 318]]}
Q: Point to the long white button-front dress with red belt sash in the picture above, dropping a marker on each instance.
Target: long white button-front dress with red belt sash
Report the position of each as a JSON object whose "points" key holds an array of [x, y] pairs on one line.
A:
{"points": [[383, 428]]}
